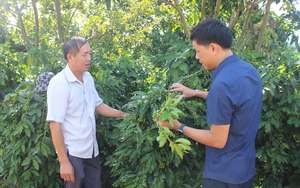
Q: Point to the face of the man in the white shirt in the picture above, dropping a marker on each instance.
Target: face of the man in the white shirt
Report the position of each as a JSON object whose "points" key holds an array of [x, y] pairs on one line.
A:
{"points": [[82, 61]]}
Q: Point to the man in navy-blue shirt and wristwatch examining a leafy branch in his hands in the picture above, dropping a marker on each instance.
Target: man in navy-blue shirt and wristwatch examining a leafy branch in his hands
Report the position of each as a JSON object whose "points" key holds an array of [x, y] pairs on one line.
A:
{"points": [[234, 104]]}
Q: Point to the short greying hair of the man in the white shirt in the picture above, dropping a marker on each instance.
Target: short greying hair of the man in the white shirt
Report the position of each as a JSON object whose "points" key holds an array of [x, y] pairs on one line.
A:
{"points": [[73, 46]]}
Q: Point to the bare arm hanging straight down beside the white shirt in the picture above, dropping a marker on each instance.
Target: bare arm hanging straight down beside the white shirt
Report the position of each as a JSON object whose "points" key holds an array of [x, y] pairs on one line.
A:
{"points": [[66, 168]]}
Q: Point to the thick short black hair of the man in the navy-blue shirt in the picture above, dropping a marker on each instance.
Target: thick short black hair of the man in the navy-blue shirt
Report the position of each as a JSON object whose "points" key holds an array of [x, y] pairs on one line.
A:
{"points": [[212, 31]]}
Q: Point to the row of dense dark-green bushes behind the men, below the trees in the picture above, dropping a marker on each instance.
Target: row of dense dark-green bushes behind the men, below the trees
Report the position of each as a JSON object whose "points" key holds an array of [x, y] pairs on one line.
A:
{"points": [[130, 153]]}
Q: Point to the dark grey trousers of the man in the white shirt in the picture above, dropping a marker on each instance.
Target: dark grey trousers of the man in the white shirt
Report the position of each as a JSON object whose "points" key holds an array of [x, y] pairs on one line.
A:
{"points": [[87, 173]]}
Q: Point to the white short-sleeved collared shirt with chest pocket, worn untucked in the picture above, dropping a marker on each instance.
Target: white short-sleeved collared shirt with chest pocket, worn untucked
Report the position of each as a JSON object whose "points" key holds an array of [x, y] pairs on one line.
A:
{"points": [[72, 103]]}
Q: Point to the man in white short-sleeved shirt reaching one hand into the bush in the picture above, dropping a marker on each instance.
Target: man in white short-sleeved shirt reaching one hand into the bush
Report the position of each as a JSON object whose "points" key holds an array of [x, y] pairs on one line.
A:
{"points": [[72, 101]]}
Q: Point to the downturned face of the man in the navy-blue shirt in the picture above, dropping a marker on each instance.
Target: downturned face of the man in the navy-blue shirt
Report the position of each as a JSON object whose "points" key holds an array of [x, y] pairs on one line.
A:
{"points": [[205, 55]]}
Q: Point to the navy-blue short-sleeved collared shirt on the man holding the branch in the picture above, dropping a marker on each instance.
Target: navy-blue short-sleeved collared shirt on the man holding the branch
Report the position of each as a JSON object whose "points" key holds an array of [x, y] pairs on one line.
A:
{"points": [[235, 98]]}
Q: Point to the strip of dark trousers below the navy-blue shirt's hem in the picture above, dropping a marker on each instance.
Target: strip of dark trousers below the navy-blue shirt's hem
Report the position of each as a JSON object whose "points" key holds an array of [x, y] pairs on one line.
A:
{"points": [[211, 183]]}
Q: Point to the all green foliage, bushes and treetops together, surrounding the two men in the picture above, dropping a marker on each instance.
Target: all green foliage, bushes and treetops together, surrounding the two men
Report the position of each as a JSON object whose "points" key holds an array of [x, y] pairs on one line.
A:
{"points": [[139, 50]]}
